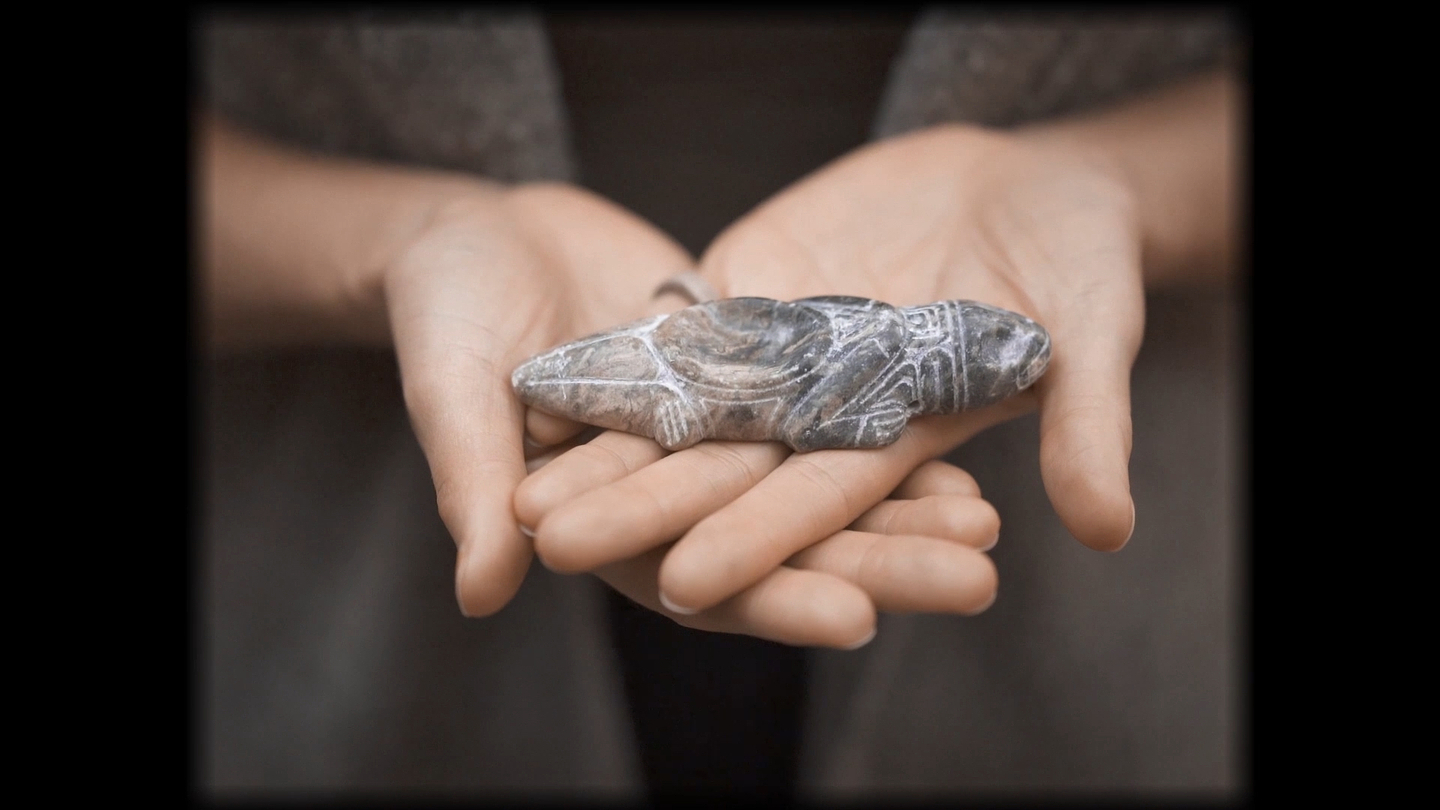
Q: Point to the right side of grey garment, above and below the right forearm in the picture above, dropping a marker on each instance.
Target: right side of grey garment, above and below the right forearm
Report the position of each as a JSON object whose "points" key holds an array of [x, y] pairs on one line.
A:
{"points": [[1092, 672]]}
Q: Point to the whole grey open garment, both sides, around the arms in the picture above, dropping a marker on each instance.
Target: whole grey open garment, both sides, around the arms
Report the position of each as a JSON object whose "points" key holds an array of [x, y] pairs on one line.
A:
{"points": [[333, 657]]}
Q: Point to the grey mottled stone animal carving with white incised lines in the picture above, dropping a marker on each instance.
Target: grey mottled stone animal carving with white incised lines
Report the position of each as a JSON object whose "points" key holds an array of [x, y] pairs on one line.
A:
{"points": [[814, 374]]}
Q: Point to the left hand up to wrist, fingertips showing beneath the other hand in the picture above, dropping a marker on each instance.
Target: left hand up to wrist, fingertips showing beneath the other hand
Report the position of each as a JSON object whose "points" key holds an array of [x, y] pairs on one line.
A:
{"points": [[502, 275]]}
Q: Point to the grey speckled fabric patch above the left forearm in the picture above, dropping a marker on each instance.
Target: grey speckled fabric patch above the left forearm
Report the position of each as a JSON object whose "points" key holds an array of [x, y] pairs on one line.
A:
{"points": [[473, 92]]}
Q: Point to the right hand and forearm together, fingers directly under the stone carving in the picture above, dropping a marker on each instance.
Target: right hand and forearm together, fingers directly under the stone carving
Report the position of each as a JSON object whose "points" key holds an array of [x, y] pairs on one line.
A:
{"points": [[1065, 224]]}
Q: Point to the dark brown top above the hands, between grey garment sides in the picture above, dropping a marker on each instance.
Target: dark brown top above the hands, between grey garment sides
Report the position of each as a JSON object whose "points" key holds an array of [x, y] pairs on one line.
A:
{"points": [[693, 119]]}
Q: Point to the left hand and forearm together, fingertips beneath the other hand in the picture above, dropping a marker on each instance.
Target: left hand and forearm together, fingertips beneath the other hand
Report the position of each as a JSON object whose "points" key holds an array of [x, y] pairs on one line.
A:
{"points": [[466, 279]]}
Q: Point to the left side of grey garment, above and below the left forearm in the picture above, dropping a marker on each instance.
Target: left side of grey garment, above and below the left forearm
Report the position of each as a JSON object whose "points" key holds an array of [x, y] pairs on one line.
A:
{"points": [[333, 657]]}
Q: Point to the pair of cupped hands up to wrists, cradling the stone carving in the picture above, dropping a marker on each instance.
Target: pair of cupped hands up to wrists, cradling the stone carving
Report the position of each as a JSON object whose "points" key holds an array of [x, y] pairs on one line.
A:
{"points": [[748, 537]]}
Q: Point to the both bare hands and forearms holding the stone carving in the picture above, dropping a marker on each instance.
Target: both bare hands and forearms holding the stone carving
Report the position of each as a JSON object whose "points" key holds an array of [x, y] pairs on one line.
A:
{"points": [[466, 279]]}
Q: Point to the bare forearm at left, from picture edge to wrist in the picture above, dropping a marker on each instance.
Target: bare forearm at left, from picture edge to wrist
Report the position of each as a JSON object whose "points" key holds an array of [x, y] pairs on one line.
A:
{"points": [[293, 247]]}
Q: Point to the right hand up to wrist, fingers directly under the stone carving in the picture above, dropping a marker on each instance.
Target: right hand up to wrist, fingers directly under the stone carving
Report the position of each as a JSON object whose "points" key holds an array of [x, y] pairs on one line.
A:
{"points": [[951, 213]]}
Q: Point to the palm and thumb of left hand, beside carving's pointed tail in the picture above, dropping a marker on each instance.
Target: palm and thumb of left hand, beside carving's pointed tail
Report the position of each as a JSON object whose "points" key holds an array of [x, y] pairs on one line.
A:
{"points": [[496, 276]]}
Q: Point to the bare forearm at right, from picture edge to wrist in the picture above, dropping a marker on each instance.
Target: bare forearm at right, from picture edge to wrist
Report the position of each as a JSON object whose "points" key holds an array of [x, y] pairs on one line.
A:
{"points": [[1179, 153]]}
